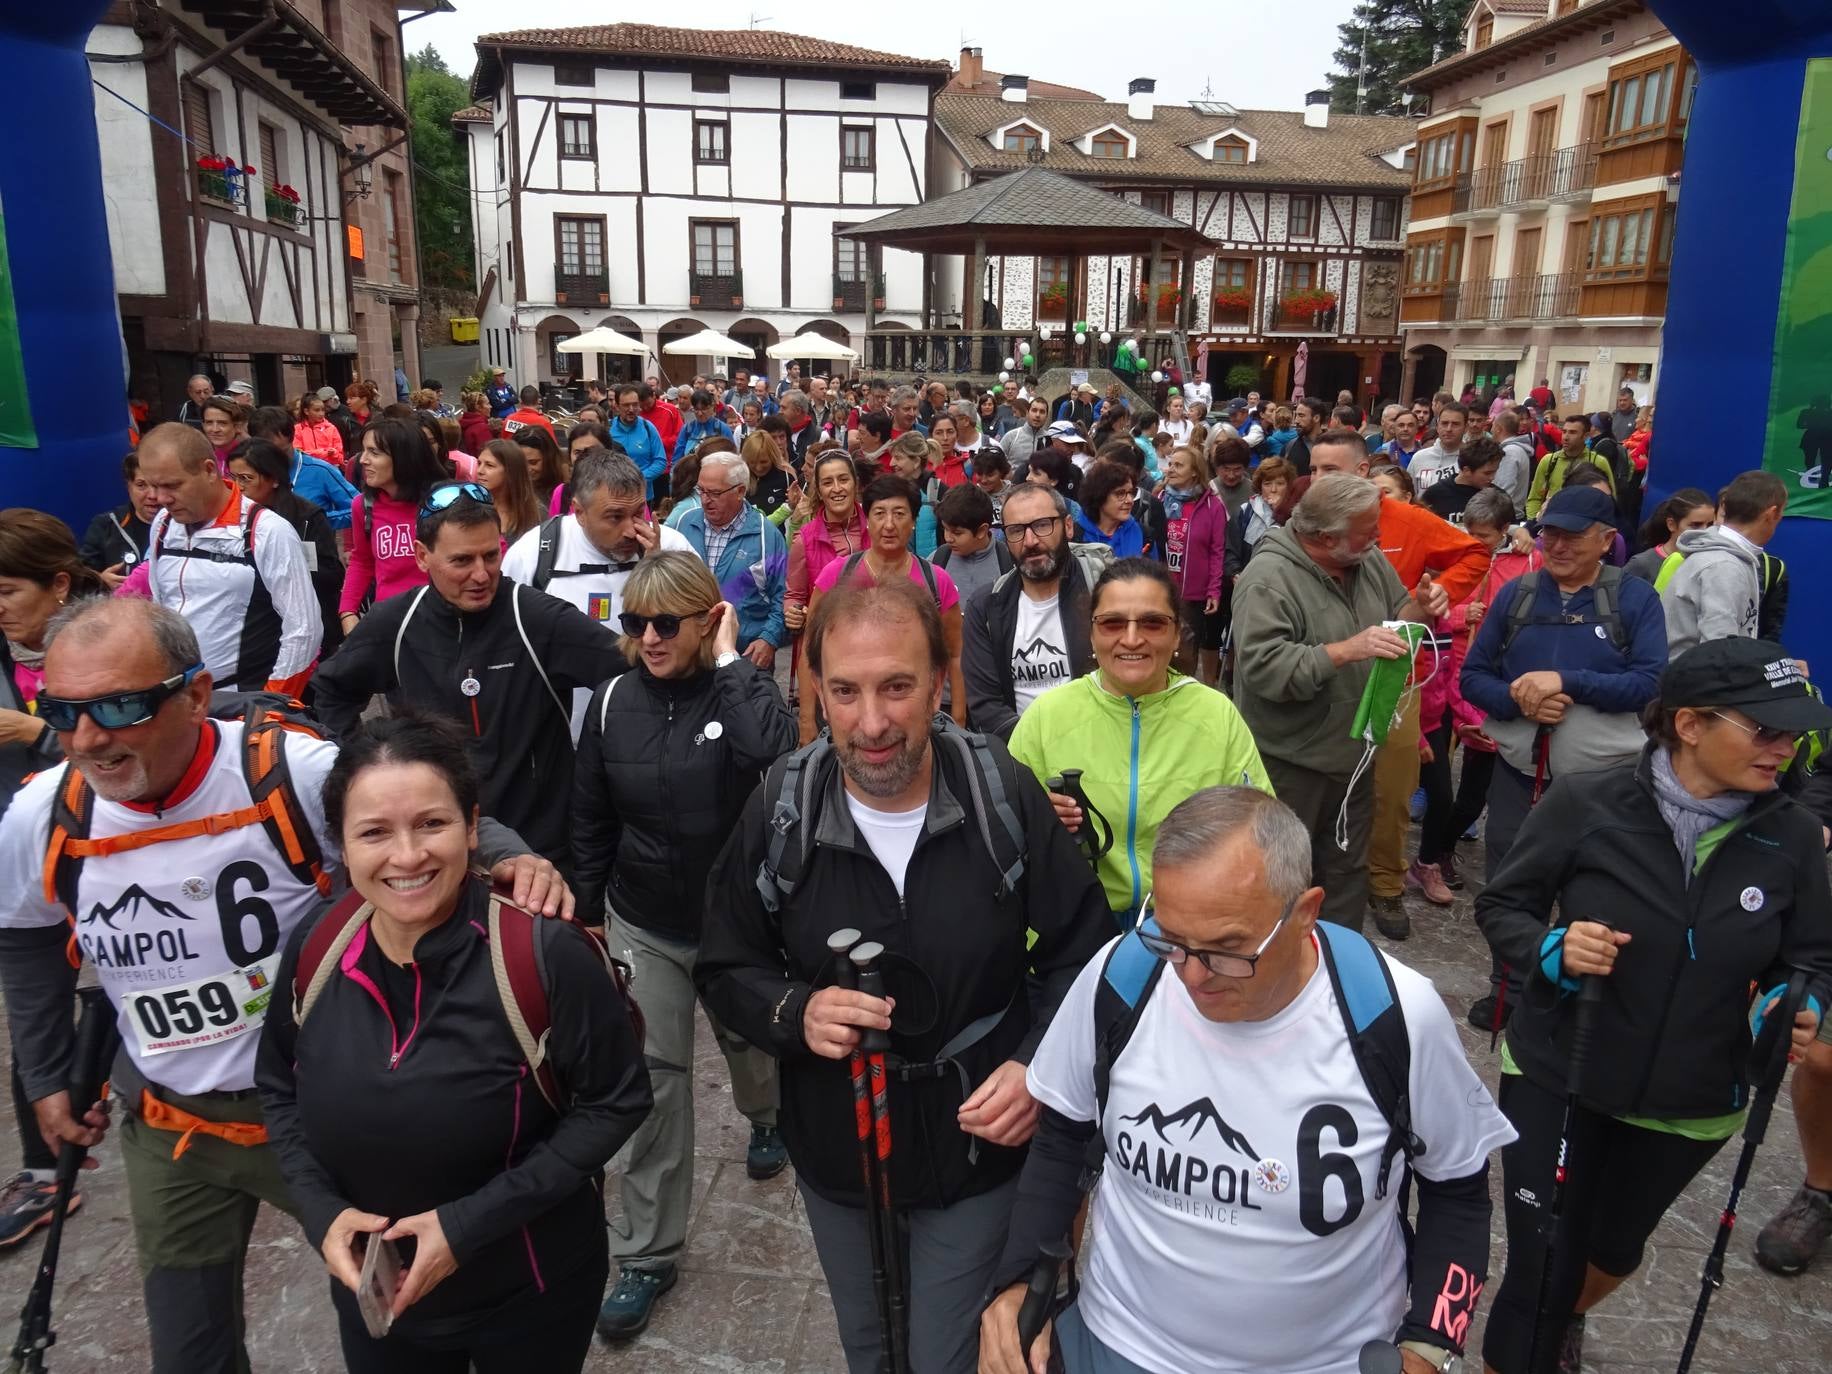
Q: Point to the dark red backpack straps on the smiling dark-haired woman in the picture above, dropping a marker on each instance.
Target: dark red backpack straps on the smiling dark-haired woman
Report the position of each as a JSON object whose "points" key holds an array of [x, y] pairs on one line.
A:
{"points": [[514, 957]]}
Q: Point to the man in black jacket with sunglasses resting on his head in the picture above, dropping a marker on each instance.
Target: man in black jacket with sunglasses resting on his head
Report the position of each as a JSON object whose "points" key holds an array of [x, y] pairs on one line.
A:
{"points": [[490, 655]]}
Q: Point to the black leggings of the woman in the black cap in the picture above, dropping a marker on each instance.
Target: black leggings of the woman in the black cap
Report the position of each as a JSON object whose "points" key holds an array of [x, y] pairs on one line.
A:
{"points": [[1622, 1183]]}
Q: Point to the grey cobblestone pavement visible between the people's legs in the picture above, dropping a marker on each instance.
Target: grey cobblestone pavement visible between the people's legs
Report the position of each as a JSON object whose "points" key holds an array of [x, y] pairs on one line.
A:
{"points": [[752, 1300]]}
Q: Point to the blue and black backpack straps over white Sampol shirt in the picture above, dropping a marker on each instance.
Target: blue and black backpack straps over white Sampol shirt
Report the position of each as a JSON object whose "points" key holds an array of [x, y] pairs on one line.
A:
{"points": [[1364, 994]]}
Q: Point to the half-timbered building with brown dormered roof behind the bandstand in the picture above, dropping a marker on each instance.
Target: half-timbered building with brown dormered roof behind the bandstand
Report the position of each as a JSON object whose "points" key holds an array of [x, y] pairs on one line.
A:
{"points": [[1307, 210]]}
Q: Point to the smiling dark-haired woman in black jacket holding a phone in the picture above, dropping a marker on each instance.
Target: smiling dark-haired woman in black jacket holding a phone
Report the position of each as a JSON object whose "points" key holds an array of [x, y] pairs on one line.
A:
{"points": [[402, 1106]]}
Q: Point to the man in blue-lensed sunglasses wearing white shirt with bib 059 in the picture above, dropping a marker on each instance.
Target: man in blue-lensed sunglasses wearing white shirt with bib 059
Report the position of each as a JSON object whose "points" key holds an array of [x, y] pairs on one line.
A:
{"points": [[182, 904]]}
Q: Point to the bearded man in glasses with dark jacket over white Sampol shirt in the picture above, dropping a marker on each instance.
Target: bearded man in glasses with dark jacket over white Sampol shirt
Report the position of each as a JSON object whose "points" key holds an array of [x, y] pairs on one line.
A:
{"points": [[1029, 631]]}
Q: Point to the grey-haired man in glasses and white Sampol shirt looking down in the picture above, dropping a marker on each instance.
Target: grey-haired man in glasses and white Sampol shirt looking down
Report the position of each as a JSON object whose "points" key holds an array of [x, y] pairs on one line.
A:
{"points": [[1256, 1153]]}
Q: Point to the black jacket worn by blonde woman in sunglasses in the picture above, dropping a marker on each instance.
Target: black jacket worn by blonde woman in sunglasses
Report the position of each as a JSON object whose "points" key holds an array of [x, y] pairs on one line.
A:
{"points": [[659, 787]]}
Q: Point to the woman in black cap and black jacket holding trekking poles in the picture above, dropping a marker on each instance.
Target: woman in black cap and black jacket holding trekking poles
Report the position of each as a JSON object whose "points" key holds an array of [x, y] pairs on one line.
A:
{"points": [[1683, 882]]}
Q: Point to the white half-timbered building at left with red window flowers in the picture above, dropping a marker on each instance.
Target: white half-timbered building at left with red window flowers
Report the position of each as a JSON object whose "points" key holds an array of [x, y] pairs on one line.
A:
{"points": [[223, 146]]}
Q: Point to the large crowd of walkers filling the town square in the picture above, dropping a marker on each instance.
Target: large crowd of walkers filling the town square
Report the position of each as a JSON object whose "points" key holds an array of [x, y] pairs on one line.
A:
{"points": [[693, 699]]}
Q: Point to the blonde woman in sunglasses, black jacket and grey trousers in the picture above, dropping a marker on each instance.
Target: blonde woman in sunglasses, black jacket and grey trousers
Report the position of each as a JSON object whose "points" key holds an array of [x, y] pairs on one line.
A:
{"points": [[668, 758]]}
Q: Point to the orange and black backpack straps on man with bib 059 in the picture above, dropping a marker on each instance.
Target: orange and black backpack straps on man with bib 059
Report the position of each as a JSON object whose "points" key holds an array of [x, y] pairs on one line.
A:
{"points": [[270, 783]]}
